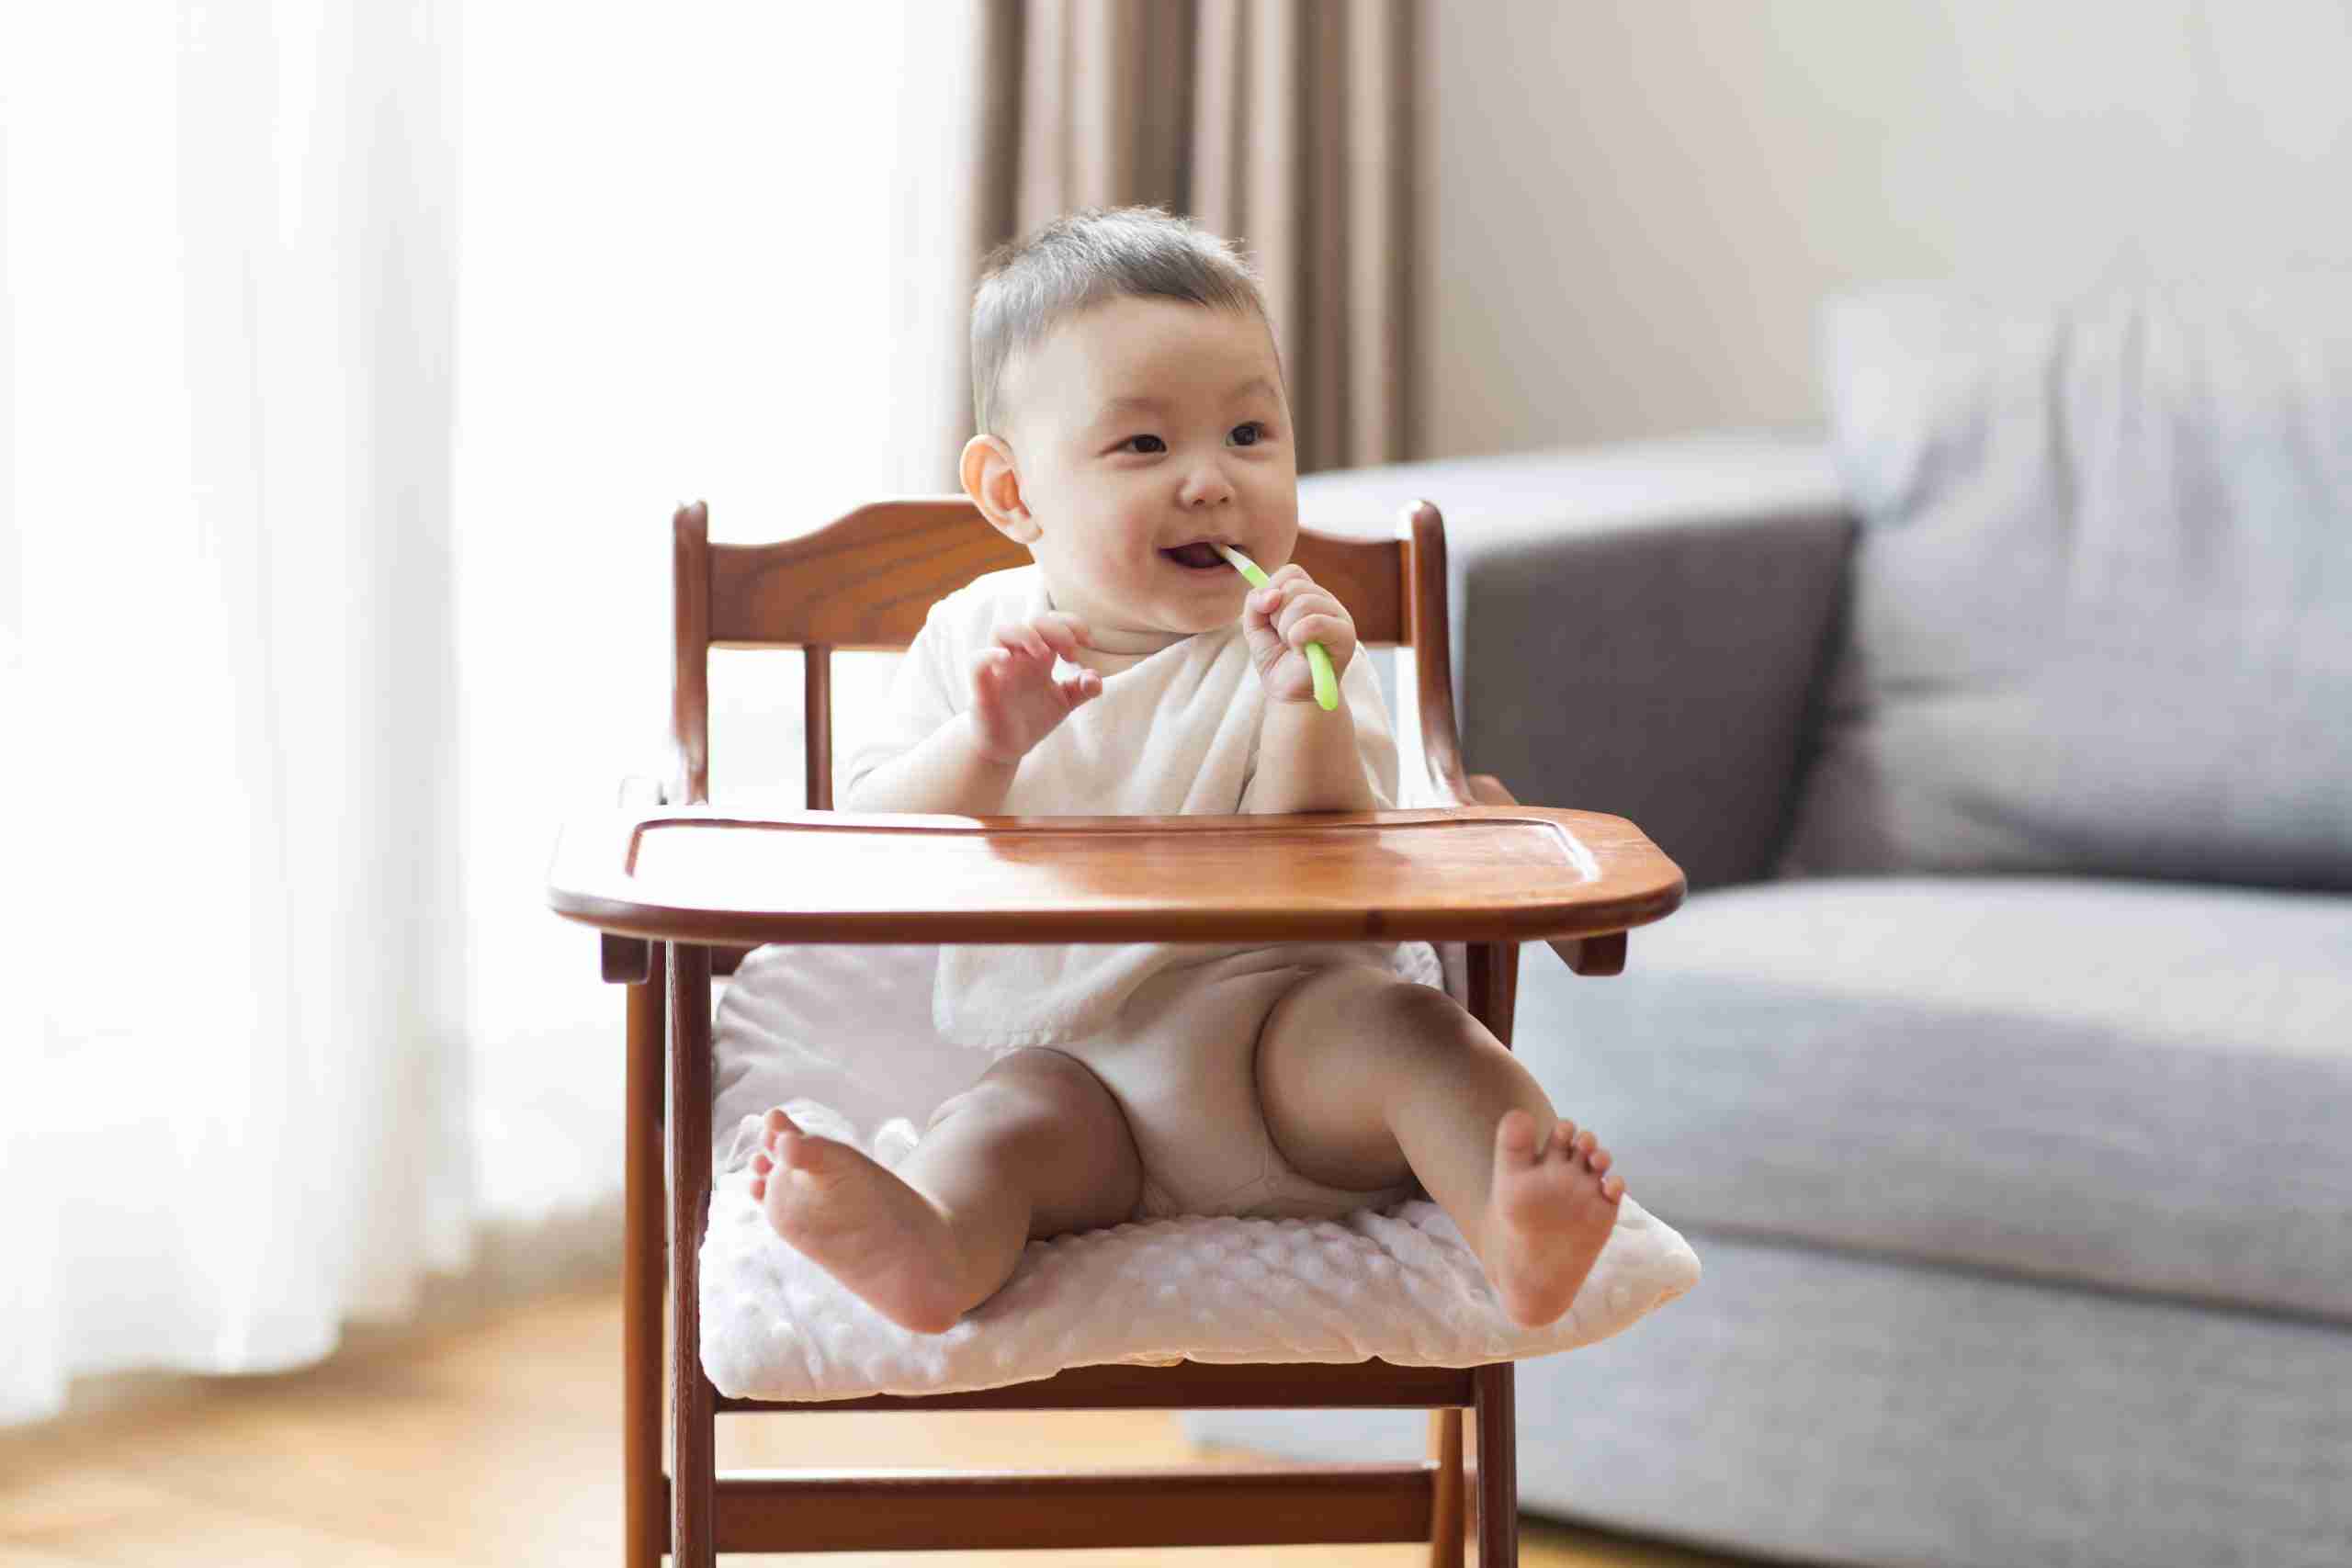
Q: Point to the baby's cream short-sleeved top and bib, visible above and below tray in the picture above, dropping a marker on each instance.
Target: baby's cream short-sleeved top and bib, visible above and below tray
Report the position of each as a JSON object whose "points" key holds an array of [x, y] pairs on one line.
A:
{"points": [[1175, 735]]}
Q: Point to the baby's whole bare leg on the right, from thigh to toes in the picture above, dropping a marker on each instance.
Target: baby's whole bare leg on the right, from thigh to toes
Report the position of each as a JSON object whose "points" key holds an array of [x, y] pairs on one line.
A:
{"points": [[1365, 1076]]}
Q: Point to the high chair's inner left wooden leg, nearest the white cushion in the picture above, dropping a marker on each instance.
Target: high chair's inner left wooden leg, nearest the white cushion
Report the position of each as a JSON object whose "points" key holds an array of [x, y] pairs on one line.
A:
{"points": [[693, 1416]]}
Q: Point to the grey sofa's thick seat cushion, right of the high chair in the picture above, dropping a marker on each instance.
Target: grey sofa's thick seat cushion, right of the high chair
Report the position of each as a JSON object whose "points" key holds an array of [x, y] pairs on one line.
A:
{"points": [[2127, 1085]]}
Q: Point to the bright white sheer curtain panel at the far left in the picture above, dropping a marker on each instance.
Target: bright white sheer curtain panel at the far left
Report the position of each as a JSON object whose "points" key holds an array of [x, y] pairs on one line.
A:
{"points": [[229, 300]]}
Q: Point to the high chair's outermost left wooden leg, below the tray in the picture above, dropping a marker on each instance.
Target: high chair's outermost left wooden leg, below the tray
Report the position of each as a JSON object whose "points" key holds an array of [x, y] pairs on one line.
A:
{"points": [[643, 1529]]}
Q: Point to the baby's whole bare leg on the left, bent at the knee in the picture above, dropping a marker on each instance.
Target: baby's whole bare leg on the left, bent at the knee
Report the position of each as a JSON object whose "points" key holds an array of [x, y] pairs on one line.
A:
{"points": [[1036, 1148]]}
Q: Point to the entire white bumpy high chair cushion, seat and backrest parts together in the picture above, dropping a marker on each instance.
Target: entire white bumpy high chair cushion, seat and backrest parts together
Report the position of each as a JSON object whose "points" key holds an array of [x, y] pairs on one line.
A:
{"points": [[841, 1038]]}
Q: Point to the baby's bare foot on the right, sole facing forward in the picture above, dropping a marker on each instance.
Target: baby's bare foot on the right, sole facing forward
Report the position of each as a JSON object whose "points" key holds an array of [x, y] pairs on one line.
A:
{"points": [[1549, 1214]]}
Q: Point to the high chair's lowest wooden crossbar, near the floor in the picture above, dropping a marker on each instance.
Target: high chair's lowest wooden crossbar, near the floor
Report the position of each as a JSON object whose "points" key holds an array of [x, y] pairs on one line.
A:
{"points": [[909, 1510]]}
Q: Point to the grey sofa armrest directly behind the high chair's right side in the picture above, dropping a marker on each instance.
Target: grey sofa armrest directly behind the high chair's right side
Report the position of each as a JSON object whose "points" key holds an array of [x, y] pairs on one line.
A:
{"points": [[1636, 629]]}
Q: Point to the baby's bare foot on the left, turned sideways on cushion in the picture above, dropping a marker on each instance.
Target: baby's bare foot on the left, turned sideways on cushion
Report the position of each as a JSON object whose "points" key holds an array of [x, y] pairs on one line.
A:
{"points": [[860, 1224]]}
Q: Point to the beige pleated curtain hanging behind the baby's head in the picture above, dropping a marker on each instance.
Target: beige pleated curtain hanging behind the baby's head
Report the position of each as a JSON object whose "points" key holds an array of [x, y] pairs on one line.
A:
{"points": [[1283, 126]]}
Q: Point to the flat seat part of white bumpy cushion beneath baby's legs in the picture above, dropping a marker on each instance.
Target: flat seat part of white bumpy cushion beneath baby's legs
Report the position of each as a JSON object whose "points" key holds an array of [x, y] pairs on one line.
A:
{"points": [[1396, 1285]]}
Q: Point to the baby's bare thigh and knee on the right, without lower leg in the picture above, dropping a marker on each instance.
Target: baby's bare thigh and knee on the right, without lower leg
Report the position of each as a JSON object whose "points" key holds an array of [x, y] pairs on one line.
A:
{"points": [[1332, 1059]]}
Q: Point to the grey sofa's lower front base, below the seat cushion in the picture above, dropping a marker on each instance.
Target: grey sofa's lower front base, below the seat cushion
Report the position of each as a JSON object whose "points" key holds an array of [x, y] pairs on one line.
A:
{"points": [[1831, 1409]]}
